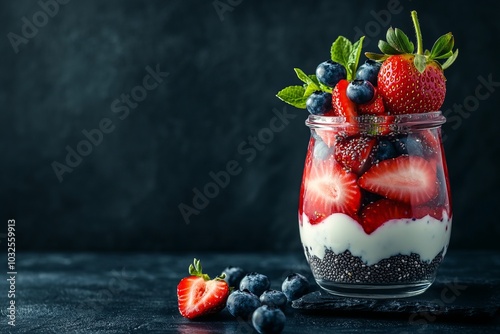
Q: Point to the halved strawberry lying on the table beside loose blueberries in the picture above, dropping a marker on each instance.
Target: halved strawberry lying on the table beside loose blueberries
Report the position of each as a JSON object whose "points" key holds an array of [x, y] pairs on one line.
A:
{"points": [[199, 295]]}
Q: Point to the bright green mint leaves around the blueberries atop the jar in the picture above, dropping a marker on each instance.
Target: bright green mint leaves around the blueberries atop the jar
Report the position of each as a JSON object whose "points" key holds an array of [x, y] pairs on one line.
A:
{"points": [[343, 52]]}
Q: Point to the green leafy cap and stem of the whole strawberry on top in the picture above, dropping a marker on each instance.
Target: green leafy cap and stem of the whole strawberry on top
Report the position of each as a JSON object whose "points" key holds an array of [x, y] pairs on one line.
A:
{"points": [[397, 42]]}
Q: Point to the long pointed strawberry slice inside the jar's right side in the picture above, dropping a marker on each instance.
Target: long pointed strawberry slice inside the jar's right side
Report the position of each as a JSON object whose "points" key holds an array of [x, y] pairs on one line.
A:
{"points": [[409, 179]]}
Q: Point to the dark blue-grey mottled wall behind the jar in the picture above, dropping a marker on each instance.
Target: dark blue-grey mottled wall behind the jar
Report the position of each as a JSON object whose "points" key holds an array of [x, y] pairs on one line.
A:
{"points": [[223, 75]]}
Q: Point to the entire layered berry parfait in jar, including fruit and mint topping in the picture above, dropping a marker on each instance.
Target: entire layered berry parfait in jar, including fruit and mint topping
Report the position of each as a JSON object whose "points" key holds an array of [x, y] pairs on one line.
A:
{"points": [[374, 209]]}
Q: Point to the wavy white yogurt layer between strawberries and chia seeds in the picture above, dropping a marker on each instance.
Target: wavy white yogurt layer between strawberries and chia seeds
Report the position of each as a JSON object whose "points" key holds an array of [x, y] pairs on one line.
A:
{"points": [[426, 237]]}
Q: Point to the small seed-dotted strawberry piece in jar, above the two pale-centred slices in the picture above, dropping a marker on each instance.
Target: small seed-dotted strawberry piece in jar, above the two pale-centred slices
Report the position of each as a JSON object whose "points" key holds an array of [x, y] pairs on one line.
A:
{"points": [[354, 153]]}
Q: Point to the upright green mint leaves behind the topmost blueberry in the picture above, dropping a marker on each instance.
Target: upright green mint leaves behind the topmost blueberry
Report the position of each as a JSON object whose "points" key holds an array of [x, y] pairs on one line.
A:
{"points": [[347, 54]]}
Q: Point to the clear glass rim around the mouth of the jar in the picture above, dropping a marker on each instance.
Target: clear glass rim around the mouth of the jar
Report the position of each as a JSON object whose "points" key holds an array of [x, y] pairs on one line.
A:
{"points": [[428, 119]]}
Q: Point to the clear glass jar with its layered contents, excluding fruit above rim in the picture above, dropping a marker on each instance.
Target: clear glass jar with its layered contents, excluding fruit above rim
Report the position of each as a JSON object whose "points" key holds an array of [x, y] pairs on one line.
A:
{"points": [[374, 211]]}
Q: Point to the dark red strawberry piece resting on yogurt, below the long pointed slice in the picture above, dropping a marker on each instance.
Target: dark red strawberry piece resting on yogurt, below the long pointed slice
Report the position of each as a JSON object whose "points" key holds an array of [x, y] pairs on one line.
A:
{"points": [[377, 213]]}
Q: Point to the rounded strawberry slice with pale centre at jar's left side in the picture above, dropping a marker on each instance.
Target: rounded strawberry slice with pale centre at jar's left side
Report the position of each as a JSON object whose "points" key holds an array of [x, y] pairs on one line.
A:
{"points": [[329, 189]]}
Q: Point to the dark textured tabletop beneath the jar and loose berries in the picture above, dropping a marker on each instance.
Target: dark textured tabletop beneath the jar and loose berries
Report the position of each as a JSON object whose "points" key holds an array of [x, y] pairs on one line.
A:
{"points": [[136, 293]]}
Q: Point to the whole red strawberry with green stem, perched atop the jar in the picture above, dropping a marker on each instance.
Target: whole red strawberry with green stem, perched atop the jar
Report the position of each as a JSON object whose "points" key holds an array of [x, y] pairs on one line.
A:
{"points": [[413, 82]]}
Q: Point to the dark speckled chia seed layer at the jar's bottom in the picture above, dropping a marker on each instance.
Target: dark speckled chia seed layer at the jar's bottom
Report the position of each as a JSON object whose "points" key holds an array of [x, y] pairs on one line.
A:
{"points": [[346, 268]]}
